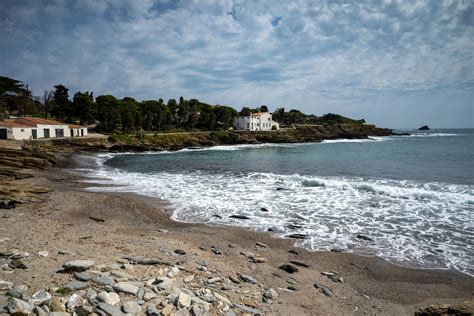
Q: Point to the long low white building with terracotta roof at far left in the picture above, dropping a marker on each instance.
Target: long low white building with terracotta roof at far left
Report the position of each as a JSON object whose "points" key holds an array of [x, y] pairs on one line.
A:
{"points": [[32, 128]]}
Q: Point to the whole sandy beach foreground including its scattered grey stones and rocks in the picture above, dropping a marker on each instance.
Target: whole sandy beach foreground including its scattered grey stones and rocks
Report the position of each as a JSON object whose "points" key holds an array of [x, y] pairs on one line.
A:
{"points": [[64, 251]]}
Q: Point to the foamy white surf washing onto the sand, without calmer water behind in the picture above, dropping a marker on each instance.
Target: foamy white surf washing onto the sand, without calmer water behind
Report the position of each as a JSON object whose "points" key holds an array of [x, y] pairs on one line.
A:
{"points": [[417, 224]]}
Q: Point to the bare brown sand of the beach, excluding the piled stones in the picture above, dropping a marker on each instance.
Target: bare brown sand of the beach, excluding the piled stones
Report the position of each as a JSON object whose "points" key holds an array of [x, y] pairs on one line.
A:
{"points": [[135, 225]]}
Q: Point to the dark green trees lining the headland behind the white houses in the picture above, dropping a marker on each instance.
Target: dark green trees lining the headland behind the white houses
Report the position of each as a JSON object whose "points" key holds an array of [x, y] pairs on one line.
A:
{"points": [[123, 116]]}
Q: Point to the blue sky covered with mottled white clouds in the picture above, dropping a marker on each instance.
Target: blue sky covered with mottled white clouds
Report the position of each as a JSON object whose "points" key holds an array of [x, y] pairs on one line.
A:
{"points": [[399, 64]]}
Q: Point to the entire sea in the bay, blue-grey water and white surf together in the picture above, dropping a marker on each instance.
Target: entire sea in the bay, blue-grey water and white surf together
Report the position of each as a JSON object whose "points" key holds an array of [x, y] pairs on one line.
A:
{"points": [[413, 196]]}
